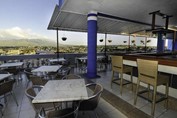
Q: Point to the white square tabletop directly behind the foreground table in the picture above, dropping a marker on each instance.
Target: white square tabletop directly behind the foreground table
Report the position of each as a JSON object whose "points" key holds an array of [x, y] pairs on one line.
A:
{"points": [[47, 68]]}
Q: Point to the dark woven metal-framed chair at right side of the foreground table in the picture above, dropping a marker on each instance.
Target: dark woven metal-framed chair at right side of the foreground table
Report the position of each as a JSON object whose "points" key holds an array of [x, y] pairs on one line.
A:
{"points": [[92, 102]]}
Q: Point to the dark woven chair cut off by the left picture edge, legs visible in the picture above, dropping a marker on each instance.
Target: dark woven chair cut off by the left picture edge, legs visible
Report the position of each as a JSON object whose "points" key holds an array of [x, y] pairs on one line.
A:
{"points": [[6, 88]]}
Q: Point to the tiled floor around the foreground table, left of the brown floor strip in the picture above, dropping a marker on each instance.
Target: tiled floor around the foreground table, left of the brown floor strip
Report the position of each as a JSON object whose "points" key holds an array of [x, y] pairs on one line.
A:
{"points": [[25, 110]]}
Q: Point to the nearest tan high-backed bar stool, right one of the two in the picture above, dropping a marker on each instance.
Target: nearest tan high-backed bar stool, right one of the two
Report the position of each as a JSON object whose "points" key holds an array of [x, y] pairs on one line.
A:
{"points": [[148, 74]]}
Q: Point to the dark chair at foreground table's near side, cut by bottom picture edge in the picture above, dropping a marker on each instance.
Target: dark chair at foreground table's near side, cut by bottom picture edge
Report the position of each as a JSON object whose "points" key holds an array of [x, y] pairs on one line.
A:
{"points": [[65, 113]]}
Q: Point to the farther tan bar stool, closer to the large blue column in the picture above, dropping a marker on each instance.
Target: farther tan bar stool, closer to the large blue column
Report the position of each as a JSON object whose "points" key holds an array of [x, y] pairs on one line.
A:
{"points": [[117, 66]]}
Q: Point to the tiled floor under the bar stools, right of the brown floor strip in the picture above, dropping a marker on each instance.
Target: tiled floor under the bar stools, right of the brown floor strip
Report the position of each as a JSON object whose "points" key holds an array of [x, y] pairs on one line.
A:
{"points": [[128, 96]]}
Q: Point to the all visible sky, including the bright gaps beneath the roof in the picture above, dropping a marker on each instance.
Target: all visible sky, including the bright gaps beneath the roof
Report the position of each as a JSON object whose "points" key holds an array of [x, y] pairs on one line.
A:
{"points": [[30, 18]]}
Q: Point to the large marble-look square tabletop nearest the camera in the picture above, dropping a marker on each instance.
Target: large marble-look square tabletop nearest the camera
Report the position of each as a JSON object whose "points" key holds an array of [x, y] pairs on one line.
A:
{"points": [[62, 90]]}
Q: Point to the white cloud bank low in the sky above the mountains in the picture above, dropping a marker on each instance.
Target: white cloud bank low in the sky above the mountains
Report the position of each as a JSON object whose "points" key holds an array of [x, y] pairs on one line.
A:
{"points": [[19, 33]]}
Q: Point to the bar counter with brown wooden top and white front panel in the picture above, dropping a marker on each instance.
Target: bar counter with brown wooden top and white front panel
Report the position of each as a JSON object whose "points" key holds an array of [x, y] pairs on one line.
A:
{"points": [[167, 64]]}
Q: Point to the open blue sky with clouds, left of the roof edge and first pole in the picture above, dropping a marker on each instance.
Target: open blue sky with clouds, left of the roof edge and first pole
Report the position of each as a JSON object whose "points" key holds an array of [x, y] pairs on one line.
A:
{"points": [[26, 18]]}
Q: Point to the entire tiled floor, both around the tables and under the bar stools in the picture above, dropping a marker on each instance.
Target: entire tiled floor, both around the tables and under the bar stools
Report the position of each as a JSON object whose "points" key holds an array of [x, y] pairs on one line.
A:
{"points": [[104, 110]]}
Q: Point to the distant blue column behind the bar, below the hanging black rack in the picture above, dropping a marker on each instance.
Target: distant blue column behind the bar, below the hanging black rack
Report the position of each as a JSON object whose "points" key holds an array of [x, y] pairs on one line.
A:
{"points": [[160, 43]]}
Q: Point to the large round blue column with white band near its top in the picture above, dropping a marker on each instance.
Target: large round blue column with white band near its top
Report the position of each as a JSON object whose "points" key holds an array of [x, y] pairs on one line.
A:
{"points": [[92, 45]]}
